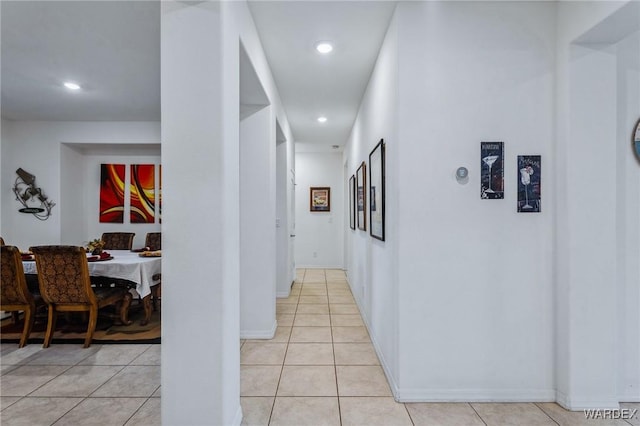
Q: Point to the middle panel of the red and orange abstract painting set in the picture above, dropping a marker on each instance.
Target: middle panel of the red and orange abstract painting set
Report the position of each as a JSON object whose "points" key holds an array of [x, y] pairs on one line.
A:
{"points": [[142, 193]]}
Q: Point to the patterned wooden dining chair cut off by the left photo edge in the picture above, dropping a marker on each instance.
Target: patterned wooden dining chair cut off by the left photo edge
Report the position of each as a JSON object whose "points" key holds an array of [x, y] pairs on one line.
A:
{"points": [[14, 294]]}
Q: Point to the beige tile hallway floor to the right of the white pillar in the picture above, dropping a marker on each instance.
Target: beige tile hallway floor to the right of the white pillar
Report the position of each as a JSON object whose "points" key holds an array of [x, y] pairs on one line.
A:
{"points": [[321, 369]]}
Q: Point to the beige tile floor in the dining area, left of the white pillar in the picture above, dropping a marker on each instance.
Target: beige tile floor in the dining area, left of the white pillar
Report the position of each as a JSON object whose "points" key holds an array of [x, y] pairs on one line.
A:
{"points": [[69, 385]]}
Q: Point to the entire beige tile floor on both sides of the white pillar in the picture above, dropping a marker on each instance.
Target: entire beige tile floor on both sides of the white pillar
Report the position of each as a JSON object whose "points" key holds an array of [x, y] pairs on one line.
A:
{"points": [[319, 369]]}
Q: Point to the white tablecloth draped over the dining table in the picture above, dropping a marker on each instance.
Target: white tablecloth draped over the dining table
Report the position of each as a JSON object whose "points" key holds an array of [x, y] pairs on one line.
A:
{"points": [[124, 265]]}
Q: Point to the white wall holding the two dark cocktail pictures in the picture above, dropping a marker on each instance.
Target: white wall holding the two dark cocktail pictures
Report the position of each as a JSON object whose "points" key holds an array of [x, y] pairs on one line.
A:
{"points": [[475, 277]]}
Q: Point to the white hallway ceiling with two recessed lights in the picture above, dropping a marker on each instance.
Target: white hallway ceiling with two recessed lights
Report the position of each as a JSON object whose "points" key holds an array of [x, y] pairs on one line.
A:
{"points": [[311, 84]]}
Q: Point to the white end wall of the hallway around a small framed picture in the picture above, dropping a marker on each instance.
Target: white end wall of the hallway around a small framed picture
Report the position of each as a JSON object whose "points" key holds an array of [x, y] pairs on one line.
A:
{"points": [[319, 235]]}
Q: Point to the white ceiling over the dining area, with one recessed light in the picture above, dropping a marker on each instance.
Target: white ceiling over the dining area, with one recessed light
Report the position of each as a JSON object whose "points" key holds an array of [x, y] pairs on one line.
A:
{"points": [[112, 49]]}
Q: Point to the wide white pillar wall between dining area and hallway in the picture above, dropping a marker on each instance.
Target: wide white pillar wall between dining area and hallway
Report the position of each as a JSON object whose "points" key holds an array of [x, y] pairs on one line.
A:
{"points": [[200, 116]]}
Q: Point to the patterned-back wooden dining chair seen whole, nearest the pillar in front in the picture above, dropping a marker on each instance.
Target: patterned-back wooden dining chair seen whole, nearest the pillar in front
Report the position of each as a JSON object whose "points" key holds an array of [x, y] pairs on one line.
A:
{"points": [[63, 276]]}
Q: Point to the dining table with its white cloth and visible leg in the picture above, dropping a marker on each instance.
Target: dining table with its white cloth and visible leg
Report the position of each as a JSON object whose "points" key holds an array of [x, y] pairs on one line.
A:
{"points": [[137, 270]]}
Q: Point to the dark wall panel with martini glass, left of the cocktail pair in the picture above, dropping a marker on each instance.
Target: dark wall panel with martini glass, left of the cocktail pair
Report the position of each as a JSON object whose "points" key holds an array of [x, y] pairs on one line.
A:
{"points": [[492, 170]]}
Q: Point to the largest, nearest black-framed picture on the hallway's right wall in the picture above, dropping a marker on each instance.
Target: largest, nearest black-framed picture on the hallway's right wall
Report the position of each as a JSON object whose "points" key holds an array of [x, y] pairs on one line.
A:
{"points": [[377, 192]]}
